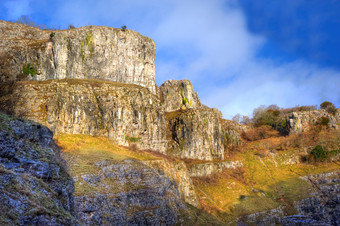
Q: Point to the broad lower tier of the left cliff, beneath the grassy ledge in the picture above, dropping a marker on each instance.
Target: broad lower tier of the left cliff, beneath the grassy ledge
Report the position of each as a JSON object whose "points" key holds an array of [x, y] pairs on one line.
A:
{"points": [[125, 113]]}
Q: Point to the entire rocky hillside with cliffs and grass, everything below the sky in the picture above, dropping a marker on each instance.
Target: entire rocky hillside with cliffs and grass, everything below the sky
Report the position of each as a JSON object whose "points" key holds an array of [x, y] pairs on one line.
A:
{"points": [[87, 138]]}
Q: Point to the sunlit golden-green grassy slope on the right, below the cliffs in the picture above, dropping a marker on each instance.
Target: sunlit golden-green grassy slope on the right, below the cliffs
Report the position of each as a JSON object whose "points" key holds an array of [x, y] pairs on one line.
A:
{"points": [[264, 183]]}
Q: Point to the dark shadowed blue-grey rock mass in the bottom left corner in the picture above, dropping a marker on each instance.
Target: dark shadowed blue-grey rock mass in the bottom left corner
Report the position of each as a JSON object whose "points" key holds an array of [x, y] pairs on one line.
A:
{"points": [[35, 188]]}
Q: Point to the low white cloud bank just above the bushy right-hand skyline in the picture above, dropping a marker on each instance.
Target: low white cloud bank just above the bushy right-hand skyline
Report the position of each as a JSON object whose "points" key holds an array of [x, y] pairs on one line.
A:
{"points": [[264, 83]]}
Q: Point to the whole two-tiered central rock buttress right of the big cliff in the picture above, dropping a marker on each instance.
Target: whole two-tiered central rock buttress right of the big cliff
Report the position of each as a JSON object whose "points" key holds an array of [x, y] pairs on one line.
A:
{"points": [[194, 130]]}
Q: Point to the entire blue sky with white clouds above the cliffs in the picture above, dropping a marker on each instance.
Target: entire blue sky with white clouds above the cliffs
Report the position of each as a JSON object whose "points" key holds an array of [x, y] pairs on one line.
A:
{"points": [[238, 54]]}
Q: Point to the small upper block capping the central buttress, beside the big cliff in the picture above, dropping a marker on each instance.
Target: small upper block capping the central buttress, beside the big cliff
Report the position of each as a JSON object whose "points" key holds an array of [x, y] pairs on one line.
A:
{"points": [[178, 94]]}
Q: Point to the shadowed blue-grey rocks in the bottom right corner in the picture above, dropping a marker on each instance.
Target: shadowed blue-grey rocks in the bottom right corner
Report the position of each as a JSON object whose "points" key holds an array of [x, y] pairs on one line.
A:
{"points": [[322, 208]]}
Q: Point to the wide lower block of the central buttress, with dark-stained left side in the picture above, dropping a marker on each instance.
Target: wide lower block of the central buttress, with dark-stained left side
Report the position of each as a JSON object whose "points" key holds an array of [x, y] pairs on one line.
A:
{"points": [[196, 134]]}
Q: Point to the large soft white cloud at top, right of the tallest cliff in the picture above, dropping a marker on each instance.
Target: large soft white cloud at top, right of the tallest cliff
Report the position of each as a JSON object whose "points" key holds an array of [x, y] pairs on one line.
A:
{"points": [[214, 31]]}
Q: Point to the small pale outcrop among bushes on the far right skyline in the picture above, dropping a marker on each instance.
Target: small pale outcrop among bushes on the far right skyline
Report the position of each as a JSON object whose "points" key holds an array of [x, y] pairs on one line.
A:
{"points": [[303, 121]]}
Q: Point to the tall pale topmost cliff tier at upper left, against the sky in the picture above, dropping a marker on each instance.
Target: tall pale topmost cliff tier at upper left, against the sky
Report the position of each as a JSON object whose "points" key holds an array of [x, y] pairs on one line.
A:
{"points": [[86, 52]]}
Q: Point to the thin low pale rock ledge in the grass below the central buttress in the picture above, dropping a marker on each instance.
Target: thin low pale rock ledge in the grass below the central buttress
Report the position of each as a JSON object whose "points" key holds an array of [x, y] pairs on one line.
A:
{"points": [[206, 169]]}
